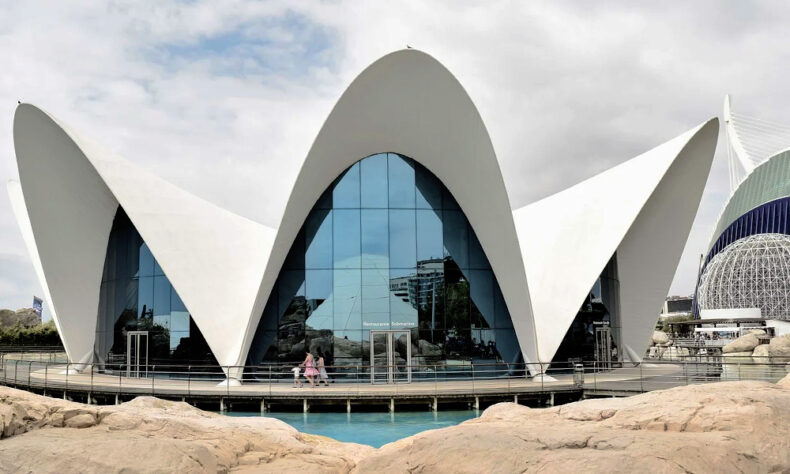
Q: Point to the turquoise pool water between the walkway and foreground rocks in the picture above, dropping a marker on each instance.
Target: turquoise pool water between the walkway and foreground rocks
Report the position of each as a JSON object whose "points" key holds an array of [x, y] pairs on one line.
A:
{"points": [[374, 429]]}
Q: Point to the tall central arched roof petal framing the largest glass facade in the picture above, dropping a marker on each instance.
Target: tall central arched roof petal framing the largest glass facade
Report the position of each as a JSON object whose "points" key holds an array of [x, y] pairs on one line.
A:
{"points": [[409, 103]]}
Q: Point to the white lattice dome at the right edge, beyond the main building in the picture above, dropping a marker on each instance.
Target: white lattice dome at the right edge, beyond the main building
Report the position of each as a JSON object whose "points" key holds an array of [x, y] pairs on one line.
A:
{"points": [[753, 272]]}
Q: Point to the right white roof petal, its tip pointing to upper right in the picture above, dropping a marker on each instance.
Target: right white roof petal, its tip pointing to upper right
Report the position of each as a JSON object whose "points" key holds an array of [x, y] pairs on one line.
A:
{"points": [[636, 208]]}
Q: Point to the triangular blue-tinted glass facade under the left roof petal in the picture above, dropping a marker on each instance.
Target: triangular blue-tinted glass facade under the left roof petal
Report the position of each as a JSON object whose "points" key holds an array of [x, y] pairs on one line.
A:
{"points": [[137, 296]]}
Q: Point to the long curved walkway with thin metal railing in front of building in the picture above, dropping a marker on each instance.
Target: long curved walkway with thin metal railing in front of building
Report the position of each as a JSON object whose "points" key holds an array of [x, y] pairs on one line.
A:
{"points": [[49, 371]]}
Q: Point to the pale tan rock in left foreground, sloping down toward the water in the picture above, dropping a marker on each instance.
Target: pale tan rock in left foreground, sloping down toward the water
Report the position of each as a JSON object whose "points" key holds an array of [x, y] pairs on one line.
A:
{"points": [[152, 435]]}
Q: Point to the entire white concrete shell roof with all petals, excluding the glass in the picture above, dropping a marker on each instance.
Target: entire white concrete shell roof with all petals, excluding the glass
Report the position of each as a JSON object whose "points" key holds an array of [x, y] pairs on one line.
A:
{"points": [[546, 256]]}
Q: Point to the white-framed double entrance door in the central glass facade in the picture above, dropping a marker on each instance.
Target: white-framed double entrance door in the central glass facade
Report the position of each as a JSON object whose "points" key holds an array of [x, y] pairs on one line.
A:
{"points": [[390, 356]]}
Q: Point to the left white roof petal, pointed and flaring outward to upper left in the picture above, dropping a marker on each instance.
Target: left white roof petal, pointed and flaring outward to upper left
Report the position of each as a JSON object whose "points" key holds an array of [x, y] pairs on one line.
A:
{"points": [[73, 187]]}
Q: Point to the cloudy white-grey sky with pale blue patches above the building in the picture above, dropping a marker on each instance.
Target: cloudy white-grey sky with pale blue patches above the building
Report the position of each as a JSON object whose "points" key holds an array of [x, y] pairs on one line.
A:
{"points": [[219, 97]]}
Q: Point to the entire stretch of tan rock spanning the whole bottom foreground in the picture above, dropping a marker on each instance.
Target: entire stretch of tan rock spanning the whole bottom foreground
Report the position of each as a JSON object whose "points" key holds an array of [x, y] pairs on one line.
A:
{"points": [[723, 427]]}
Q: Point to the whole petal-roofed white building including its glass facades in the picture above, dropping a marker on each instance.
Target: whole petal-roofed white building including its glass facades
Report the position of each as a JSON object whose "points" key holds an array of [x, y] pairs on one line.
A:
{"points": [[398, 243]]}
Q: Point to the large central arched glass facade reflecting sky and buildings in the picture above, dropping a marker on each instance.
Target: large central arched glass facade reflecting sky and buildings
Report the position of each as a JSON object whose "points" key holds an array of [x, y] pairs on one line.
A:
{"points": [[385, 247]]}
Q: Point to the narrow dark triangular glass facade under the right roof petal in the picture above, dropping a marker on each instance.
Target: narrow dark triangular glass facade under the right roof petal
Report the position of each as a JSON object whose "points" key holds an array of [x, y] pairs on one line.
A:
{"points": [[599, 309]]}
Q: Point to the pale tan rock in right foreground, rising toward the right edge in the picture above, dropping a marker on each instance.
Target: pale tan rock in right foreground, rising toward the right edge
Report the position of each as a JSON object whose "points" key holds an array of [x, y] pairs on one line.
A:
{"points": [[699, 428]]}
